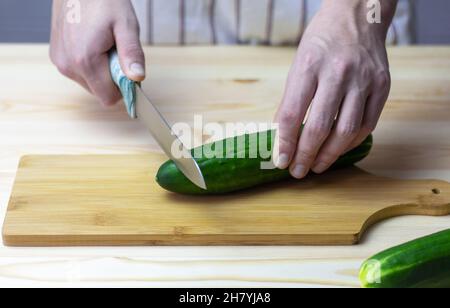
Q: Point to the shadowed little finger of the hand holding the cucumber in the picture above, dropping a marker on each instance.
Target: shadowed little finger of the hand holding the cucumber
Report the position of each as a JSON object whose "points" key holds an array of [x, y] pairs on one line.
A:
{"points": [[374, 108]]}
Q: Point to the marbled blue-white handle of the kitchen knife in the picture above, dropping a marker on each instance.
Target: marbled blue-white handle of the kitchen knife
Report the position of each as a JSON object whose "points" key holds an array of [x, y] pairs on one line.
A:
{"points": [[126, 86]]}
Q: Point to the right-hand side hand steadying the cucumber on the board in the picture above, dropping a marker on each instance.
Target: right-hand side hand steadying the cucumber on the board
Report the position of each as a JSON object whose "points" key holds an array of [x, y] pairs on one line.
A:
{"points": [[341, 73]]}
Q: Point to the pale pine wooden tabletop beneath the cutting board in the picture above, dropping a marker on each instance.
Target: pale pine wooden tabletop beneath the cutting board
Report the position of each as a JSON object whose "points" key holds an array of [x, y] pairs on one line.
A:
{"points": [[43, 113]]}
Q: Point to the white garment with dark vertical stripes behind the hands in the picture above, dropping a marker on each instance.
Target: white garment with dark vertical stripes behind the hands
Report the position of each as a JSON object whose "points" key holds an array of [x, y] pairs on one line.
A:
{"points": [[271, 22]]}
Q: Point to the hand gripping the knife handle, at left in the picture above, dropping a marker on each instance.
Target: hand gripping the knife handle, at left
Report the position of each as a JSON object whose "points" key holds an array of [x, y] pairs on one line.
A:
{"points": [[80, 51]]}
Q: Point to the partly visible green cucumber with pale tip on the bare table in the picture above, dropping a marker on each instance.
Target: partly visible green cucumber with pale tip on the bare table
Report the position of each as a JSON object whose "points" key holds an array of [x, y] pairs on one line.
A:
{"points": [[422, 263]]}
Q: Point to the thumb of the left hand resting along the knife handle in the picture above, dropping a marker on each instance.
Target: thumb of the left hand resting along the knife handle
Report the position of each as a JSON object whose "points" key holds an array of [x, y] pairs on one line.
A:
{"points": [[131, 55]]}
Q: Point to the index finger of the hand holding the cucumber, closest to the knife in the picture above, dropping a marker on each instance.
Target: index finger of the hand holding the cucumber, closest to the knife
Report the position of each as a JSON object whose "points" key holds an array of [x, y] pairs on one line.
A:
{"points": [[297, 98]]}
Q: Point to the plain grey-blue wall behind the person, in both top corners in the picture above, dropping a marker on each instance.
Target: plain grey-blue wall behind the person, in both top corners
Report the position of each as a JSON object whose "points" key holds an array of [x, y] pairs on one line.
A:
{"points": [[29, 21]]}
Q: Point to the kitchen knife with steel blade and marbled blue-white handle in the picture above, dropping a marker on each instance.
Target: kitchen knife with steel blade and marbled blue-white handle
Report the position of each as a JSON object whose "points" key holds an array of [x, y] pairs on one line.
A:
{"points": [[140, 107]]}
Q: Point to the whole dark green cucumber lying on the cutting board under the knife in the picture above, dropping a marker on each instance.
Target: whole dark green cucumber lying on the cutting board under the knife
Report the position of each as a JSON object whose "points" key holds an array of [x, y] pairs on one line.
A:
{"points": [[225, 175]]}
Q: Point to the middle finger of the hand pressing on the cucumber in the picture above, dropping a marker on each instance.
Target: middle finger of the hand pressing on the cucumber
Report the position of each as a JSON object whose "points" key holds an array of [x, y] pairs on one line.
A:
{"points": [[323, 112]]}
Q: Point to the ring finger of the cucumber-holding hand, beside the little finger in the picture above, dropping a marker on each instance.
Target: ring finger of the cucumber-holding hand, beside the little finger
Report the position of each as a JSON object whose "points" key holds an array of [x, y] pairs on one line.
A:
{"points": [[346, 129]]}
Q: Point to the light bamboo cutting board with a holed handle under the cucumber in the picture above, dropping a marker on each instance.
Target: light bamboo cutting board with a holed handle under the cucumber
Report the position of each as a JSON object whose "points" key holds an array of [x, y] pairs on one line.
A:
{"points": [[114, 200]]}
